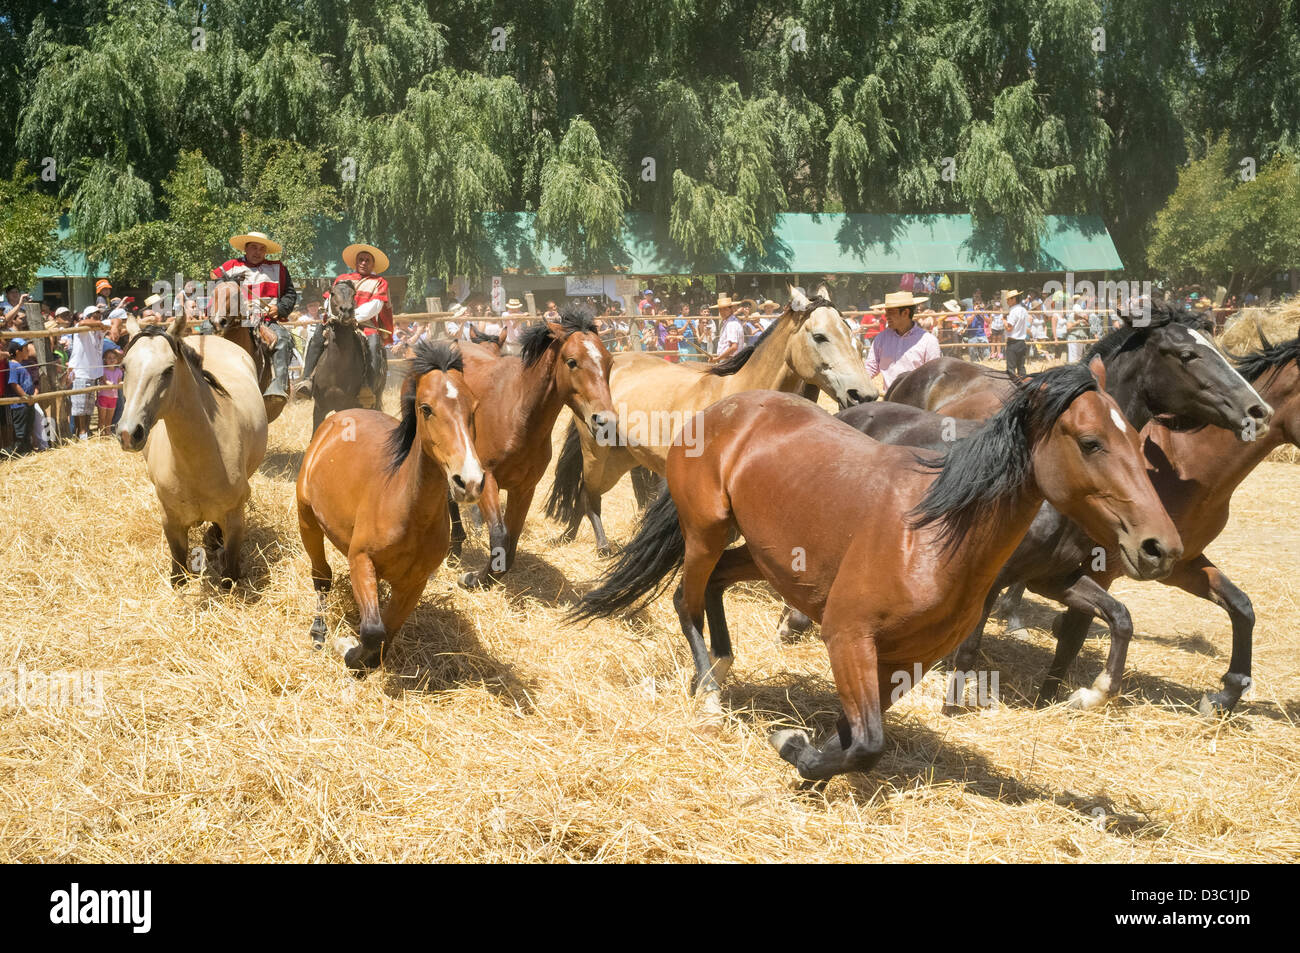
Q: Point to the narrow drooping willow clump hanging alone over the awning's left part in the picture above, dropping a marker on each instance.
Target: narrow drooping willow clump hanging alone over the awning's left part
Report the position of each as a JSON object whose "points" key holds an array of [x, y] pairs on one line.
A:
{"points": [[583, 197]]}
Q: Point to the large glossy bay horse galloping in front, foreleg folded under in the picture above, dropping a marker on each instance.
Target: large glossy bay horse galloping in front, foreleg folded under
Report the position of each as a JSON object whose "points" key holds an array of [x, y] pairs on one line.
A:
{"points": [[863, 564]]}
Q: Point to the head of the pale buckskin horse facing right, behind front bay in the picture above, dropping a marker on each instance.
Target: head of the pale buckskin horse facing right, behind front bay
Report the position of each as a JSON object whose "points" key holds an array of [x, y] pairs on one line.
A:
{"points": [[824, 352]]}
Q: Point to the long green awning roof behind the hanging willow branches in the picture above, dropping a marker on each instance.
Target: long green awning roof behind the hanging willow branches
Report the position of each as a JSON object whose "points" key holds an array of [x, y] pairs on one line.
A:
{"points": [[835, 244]]}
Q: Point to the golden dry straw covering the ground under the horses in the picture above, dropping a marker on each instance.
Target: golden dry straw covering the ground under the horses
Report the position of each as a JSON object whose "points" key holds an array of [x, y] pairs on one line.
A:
{"points": [[497, 734]]}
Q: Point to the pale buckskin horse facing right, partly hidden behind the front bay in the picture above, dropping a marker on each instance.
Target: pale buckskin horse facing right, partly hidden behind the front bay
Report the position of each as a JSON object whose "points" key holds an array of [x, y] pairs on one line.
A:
{"points": [[807, 349]]}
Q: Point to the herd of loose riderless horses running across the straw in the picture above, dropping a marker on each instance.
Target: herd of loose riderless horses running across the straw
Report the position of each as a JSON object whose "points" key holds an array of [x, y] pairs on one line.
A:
{"points": [[895, 525]]}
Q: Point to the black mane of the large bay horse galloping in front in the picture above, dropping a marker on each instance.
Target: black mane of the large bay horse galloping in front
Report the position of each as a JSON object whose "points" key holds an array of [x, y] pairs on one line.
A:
{"points": [[983, 474]]}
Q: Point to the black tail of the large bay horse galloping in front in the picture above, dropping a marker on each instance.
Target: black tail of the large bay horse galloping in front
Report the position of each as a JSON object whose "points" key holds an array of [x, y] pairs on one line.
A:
{"points": [[645, 568]]}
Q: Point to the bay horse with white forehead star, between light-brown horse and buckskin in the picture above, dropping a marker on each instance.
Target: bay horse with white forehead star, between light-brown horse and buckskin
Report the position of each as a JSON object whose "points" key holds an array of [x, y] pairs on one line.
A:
{"points": [[561, 365]]}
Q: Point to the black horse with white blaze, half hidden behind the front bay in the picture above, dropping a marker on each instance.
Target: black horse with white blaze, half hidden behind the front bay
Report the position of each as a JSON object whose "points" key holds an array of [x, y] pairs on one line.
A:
{"points": [[1171, 374]]}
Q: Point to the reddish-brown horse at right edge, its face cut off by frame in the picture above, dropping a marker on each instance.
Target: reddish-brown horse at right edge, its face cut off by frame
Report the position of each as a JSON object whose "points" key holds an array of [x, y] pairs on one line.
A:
{"points": [[1195, 473]]}
